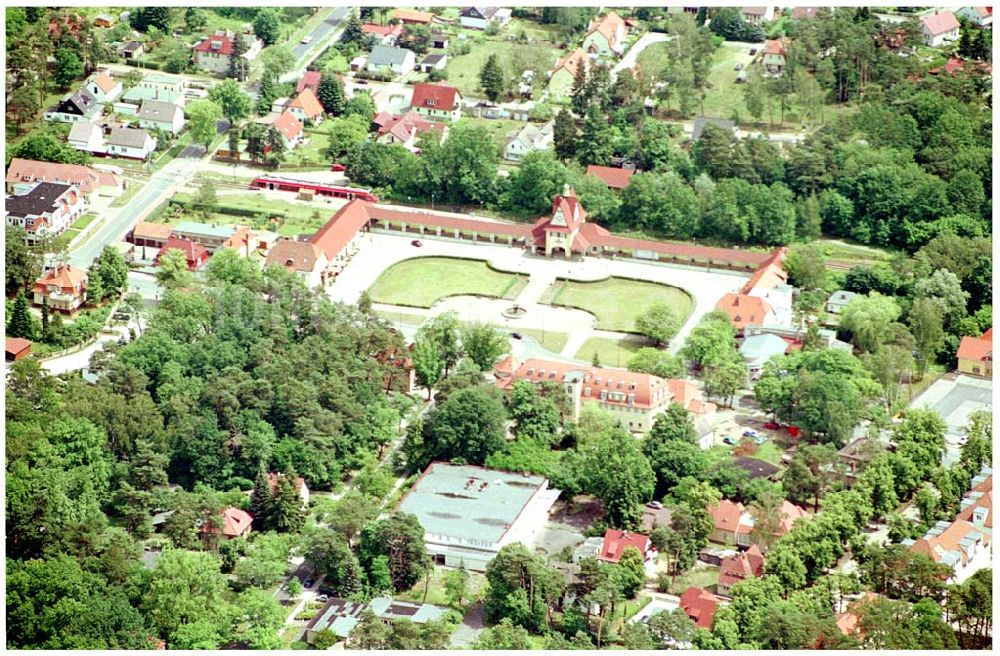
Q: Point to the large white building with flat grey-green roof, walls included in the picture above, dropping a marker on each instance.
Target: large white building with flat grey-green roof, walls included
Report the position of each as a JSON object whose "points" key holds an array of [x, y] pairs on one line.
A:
{"points": [[469, 513]]}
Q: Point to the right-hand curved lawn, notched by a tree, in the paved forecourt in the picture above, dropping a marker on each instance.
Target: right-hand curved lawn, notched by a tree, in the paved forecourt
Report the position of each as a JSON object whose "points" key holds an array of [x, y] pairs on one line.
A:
{"points": [[616, 302]]}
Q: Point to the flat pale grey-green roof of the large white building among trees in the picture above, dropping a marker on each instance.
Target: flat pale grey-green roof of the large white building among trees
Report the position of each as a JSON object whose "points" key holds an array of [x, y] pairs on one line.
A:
{"points": [[467, 502]]}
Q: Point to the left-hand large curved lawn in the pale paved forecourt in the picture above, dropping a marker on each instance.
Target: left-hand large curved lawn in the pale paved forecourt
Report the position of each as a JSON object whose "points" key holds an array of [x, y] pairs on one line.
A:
{"points": [[422, 281]]}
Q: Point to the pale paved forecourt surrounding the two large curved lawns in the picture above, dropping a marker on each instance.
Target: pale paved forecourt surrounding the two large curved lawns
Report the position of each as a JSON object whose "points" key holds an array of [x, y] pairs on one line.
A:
{"points": [[378, 251]]}
